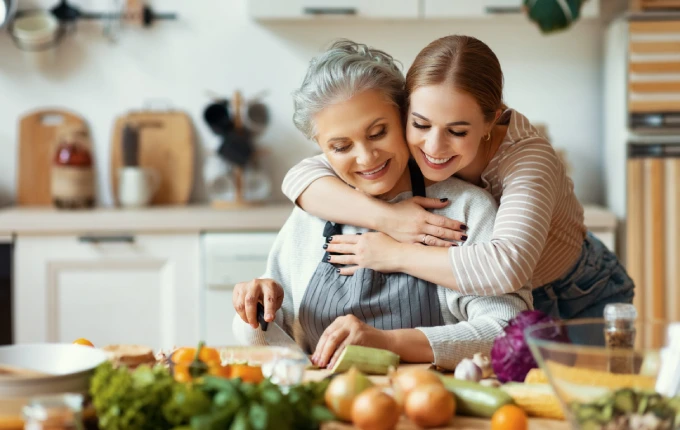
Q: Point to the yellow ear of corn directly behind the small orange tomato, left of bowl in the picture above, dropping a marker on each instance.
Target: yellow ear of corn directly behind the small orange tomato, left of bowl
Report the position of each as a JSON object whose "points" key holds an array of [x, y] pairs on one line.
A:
{"points": [[537, 400]]}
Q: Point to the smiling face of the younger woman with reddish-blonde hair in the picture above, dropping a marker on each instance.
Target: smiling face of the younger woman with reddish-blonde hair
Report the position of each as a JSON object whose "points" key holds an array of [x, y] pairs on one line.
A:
{"points": [[444, 129]]}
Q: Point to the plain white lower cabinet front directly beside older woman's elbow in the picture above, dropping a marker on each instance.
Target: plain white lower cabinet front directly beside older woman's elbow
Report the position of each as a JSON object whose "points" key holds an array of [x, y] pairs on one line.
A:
{"points": [[229, 258]]}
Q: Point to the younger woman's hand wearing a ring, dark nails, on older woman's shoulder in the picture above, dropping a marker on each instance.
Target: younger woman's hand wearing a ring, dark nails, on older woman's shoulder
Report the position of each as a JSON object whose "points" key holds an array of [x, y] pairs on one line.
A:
{"points": [[409, 222]]}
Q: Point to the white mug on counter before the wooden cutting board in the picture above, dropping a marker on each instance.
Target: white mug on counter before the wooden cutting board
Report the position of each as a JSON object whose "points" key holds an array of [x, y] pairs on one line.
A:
{"points": [[137, 186]]}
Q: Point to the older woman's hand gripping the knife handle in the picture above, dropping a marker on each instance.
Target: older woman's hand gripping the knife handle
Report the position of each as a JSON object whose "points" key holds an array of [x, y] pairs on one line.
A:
{"points": [[247, 295]]}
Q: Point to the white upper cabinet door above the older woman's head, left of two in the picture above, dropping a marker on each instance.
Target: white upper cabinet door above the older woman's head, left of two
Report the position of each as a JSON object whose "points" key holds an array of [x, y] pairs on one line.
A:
{"points": [[310, 9]]}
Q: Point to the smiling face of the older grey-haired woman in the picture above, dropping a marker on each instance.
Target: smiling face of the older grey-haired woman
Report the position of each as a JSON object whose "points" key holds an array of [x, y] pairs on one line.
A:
{"points": [[364, 141]]}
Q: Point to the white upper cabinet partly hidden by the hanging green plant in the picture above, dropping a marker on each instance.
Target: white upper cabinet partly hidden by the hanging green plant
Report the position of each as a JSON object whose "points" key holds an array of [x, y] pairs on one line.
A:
{"points": [[438, 9]]}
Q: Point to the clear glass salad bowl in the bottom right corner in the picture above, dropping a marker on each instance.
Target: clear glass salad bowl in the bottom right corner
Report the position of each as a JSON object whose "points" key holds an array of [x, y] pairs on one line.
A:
{"points": [[602, 387]]}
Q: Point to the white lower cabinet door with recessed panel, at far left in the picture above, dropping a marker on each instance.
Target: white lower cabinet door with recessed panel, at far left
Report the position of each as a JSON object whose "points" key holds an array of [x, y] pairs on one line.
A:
{"points": [[142, 289]]}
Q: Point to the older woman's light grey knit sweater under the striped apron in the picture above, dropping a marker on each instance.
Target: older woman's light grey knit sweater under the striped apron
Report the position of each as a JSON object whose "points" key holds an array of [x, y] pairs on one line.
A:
{"points": [[472, 322]]}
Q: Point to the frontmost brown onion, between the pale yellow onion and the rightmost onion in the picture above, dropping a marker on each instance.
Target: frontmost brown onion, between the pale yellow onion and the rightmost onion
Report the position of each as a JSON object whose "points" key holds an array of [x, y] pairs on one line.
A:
{"points": [[375, 410]]}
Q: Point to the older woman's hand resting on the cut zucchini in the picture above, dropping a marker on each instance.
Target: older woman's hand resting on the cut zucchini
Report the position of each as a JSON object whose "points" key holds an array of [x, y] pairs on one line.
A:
{"points": [[346, 330]]}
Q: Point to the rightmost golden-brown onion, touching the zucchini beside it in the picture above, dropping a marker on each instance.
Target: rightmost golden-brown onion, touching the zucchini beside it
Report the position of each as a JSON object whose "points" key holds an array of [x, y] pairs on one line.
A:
{"points": [[430, 406]]}
